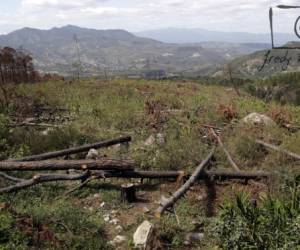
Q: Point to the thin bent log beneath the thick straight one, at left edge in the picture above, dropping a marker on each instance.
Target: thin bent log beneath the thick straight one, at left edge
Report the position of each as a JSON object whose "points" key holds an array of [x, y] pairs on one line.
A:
{"points": [[38, 179]]}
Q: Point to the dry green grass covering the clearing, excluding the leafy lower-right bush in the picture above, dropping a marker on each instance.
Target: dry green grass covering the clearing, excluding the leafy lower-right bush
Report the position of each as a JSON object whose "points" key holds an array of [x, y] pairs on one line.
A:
{"points": [[102, 110]]}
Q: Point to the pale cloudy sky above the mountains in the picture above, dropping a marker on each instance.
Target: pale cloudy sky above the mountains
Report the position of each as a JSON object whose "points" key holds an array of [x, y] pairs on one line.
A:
{"points": [[138, 15]]}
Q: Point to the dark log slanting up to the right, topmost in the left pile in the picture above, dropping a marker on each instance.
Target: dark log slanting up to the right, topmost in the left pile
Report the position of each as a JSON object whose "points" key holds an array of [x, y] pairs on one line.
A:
{"points": [[75, 150]]}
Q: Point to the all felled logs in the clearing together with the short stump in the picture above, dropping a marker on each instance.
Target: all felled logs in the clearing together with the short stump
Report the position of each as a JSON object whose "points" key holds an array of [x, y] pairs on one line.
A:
{"points": [[87, 170]]}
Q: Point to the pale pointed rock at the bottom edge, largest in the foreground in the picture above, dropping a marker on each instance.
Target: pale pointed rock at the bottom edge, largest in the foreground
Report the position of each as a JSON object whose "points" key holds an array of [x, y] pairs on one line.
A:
{"points": [[146, 237]]}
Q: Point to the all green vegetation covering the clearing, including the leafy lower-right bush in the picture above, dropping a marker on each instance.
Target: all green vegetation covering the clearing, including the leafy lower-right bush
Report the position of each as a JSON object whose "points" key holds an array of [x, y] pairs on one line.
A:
{"points": [[175, 112]]}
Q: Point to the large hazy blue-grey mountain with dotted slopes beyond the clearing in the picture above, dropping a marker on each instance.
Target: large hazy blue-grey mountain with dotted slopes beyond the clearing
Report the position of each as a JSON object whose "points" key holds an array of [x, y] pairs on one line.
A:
{"points": [[118, 51]]}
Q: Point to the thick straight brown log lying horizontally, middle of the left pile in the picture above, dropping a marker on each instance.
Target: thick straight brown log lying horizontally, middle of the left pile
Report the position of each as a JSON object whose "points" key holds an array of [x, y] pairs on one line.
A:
{"points": [[105, 164]]}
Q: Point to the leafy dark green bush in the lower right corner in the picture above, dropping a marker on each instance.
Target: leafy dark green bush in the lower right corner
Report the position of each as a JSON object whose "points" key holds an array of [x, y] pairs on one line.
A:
{"points": [[273, 224]]}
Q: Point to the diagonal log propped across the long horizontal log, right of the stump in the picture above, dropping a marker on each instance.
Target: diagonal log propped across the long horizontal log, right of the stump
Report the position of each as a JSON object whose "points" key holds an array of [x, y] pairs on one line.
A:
{"points": [[181, 191]]}
